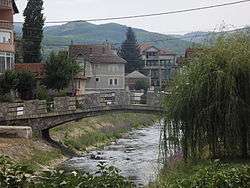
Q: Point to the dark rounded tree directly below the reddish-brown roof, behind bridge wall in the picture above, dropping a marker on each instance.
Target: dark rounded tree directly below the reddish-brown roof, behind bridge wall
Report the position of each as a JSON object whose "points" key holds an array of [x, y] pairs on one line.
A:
{"points": [[26, 85]]}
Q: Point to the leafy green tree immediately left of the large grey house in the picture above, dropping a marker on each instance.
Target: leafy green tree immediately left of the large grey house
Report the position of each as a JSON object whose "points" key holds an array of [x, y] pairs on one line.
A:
{"points": [[60, 70]]}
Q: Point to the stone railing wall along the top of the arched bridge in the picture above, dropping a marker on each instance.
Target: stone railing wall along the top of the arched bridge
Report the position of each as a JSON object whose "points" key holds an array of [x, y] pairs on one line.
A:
{"points": [[66, 105]]}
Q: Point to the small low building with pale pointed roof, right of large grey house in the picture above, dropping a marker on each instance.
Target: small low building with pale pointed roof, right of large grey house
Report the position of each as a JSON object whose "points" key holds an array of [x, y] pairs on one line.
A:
{"points": [[133, 78]]}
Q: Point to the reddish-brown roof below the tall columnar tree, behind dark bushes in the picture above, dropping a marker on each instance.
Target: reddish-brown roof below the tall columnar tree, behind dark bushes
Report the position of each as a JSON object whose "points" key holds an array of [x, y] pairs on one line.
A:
{"points": [[38, 69]]}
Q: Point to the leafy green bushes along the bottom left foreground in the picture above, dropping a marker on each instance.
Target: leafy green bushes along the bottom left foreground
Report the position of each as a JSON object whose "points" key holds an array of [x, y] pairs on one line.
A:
{"points": [[20, 176]]}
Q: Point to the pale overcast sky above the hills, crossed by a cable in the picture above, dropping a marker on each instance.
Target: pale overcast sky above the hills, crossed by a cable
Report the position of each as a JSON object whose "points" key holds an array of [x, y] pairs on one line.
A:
{"points": [[231, 16]]}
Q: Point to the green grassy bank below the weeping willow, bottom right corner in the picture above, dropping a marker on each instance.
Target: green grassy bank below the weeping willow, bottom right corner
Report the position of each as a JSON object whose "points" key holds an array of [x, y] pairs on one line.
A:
{"points": [[205, 175]]}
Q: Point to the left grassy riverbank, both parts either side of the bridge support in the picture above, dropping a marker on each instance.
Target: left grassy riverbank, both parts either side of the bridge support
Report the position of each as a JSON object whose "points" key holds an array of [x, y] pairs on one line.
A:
{"points": [[80, 136]]}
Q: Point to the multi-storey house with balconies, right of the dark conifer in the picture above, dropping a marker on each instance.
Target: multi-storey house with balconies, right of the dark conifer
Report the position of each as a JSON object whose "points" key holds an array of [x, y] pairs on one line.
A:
{"points": [[159, 64]]}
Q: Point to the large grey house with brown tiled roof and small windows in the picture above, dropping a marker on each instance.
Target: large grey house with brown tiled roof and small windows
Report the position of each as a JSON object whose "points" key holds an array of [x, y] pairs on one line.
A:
{"points": [[102, 67]]}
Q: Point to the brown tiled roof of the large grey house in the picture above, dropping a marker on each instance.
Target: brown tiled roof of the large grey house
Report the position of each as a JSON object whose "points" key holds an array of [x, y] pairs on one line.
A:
{"points": [[96, 54]]}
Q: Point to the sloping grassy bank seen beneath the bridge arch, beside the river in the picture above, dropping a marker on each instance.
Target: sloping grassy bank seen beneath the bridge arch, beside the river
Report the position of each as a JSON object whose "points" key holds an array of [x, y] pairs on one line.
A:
{"points": [[94, 132]]}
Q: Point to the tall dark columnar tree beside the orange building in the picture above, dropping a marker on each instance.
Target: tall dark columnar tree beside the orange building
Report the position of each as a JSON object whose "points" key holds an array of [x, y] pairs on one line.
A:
{"points": [[33, 31]]}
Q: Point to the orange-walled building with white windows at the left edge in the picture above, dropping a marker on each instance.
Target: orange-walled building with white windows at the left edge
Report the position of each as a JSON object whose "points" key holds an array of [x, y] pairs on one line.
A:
{"points": [[7, 48]]}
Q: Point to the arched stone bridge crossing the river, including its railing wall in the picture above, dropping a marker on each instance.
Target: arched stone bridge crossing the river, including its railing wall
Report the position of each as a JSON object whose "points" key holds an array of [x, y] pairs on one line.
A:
{"points": [[42, 116]]}
